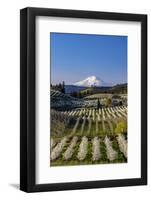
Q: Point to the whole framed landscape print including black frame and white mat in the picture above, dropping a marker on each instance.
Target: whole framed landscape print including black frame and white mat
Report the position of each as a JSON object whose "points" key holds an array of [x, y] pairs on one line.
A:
{"points": [[83, 99]]}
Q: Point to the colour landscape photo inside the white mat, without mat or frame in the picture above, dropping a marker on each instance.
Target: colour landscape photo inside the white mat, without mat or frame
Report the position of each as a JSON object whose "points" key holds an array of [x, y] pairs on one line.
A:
{"points": [[88, 99]]}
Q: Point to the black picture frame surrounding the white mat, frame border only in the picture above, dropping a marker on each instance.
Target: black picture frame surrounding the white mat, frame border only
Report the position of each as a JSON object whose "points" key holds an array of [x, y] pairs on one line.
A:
{"points": [[28, 99]]}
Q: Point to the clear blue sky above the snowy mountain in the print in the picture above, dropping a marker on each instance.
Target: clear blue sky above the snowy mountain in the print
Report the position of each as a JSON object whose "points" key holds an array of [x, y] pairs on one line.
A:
{"points": [[75, 57]]}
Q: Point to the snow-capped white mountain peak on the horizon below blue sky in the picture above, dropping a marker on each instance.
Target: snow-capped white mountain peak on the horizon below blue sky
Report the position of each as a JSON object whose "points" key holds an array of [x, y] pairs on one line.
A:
{"points": [[92, 81]]}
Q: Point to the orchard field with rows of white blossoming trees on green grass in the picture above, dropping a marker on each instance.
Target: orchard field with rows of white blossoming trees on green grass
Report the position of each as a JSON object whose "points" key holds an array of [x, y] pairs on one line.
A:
{"points": [[90, 136]]}
